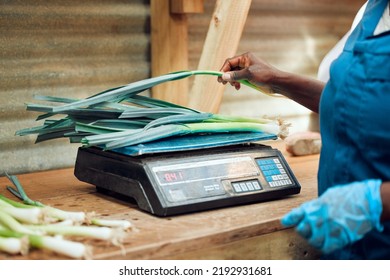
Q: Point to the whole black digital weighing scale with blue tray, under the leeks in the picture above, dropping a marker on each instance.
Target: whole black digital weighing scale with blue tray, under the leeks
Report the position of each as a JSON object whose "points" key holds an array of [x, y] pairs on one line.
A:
{"points": [[184, 174]]}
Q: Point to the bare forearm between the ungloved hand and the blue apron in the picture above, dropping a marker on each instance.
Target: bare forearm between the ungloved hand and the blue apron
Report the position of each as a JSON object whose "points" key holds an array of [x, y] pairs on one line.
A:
{"points": [[303, 90]]}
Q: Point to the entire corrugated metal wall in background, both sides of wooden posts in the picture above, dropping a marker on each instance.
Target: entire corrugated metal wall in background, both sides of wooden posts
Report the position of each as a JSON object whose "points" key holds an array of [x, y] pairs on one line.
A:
{"points": [[77, 48]]}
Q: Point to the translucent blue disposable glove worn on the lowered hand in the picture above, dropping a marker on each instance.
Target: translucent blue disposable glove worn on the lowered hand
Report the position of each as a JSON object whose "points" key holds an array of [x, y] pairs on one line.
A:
{"points": [[340, 216]]}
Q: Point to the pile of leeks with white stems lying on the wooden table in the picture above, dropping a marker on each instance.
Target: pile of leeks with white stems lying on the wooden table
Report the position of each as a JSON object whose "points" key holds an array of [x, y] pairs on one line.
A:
{"points": [[31, 224]]}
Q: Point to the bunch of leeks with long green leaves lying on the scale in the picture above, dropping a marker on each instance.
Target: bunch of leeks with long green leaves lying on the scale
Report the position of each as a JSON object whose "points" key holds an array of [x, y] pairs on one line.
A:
{"points": [[121, 117]]}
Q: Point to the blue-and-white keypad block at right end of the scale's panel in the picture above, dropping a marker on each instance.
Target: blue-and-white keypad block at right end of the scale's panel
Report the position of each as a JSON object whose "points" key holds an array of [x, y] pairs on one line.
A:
{"points": [[274, 172]]}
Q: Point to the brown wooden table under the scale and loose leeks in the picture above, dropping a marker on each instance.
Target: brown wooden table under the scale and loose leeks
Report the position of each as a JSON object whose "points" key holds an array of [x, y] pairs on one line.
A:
{"points": [[241, 232]]}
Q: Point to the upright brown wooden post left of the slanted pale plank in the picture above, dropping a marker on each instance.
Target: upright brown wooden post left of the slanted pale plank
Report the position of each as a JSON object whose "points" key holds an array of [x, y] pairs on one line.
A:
{"points": [[169, 38]]}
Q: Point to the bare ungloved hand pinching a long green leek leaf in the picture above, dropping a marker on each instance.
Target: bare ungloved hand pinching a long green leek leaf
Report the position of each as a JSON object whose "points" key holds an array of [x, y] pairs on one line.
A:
{"points": [[247, 67]]}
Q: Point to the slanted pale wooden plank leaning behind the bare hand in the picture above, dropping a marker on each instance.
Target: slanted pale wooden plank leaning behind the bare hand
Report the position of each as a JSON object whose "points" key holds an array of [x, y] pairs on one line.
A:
{"points": [[222, 40]]}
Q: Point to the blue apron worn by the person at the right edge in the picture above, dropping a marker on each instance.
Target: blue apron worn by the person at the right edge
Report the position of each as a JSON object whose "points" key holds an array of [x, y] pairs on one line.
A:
{"points": [[355, 122]]}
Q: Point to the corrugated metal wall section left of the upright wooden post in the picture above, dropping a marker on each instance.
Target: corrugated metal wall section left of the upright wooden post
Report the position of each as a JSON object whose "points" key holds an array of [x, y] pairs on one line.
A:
{"points": [[65, 48]]}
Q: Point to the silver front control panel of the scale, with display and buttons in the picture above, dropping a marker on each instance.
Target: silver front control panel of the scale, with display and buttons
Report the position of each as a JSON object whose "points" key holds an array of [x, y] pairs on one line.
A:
{"points": [[226, 176]]}
